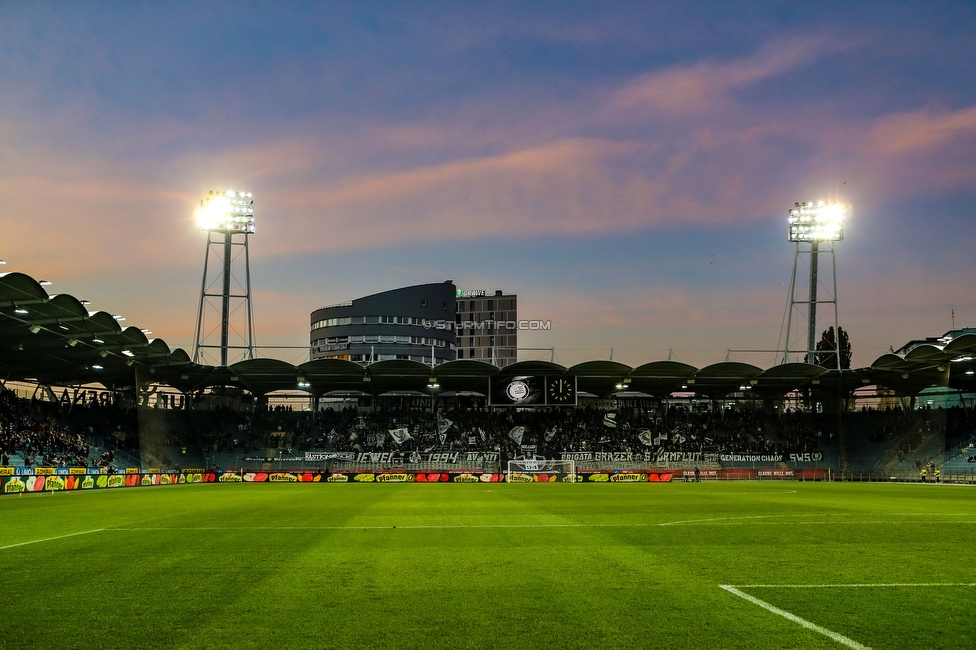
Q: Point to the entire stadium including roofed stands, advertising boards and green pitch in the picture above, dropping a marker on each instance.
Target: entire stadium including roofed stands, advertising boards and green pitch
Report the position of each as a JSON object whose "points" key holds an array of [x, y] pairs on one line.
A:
{"points": [[723, 506]]}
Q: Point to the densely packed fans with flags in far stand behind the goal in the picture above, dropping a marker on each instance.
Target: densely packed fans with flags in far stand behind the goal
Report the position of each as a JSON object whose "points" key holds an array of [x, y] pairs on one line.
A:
{"points": [[624, 429]]}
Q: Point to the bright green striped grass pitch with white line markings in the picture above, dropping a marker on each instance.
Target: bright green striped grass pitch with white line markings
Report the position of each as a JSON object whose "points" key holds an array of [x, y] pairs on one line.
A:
{"points": [[623, 565]]}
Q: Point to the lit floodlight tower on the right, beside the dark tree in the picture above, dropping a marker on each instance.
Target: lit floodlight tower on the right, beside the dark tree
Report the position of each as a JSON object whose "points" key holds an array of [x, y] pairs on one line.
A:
{"points": [[810, 225]]}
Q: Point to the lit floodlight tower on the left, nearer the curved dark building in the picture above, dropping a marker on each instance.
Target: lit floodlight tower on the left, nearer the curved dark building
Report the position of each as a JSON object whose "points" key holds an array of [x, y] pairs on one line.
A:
{"points": [[228, 218]]}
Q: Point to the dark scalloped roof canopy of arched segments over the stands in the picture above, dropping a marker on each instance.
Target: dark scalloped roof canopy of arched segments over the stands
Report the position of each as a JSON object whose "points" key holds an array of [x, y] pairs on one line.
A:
{"points": [[55, 340]]}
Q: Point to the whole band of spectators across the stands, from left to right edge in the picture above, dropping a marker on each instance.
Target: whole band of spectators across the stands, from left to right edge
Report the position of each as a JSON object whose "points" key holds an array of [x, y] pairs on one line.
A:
{"points": [[54, 434]]}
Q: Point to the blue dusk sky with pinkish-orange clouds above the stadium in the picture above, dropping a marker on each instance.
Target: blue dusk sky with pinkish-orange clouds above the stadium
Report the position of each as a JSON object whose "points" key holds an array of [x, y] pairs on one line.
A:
{"points": [[626, 168]]}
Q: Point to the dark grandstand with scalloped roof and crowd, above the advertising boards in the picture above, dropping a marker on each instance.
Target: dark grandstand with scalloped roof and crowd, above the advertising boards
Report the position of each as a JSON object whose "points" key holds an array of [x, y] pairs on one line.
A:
{"points": [[101, 395]]}
